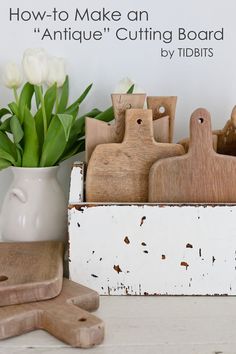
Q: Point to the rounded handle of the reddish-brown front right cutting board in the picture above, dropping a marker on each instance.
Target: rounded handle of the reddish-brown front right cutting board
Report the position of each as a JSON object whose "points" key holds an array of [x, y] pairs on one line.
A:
{"points": [[200, 132]]}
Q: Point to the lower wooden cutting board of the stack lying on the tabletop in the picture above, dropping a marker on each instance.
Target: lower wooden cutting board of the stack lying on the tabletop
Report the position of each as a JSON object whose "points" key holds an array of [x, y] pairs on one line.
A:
{"points": [[65, 317]]}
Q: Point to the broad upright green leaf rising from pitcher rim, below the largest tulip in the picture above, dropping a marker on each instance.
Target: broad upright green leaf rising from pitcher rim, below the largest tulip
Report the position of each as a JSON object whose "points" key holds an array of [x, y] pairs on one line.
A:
{"points": [[31, 144]]}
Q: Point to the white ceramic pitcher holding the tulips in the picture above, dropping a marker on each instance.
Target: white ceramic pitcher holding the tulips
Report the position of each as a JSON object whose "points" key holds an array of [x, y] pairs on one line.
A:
{"points": [[34, 208]]}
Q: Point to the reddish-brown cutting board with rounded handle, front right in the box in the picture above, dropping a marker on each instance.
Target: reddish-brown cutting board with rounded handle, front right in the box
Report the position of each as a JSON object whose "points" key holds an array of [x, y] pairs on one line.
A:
{"points": [[200, 176]]}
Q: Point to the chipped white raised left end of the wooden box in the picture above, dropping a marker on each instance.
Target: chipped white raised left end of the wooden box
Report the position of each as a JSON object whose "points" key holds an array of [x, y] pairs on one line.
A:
{"points": [[77, 183]]}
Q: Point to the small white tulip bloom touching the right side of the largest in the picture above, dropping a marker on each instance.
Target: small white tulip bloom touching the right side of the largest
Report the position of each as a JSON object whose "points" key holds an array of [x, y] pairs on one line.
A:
{"points": [[56, 72]]}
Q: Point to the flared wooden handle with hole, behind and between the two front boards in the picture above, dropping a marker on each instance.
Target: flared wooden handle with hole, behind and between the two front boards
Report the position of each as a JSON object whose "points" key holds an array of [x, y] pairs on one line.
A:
{"points": [[163, 106]]}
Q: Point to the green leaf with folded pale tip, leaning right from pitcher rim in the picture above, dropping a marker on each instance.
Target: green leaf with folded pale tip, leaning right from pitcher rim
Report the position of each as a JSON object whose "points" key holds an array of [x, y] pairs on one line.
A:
{"points": [[55, 141]]}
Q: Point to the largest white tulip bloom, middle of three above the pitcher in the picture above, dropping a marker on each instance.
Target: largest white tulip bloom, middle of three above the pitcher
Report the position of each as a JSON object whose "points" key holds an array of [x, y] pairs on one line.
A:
{"points": [[35, 64]]}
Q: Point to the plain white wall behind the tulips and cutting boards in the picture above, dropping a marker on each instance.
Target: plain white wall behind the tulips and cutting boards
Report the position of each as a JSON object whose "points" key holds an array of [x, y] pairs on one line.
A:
{"points": [[209, 82]]}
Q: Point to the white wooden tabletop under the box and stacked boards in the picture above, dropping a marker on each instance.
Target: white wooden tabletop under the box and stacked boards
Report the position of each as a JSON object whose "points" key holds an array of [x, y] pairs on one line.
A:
{"points": [[149, 325]]}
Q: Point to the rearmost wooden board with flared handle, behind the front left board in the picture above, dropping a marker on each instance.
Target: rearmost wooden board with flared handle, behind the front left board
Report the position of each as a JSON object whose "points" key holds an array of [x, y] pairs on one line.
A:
{"points": [[98, 132]]}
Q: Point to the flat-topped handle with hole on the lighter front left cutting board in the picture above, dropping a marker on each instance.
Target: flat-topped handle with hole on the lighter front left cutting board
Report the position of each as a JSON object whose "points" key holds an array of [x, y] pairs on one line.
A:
{"points": [[138, 126]]}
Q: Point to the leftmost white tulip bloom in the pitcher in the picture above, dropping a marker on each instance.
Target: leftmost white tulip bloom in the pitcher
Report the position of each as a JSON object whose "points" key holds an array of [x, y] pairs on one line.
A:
{"points": [[12, 76]]}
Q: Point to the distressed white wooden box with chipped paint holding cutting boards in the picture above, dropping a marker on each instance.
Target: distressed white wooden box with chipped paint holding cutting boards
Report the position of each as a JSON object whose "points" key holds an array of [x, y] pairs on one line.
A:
{"points": [[151, 249]]}
